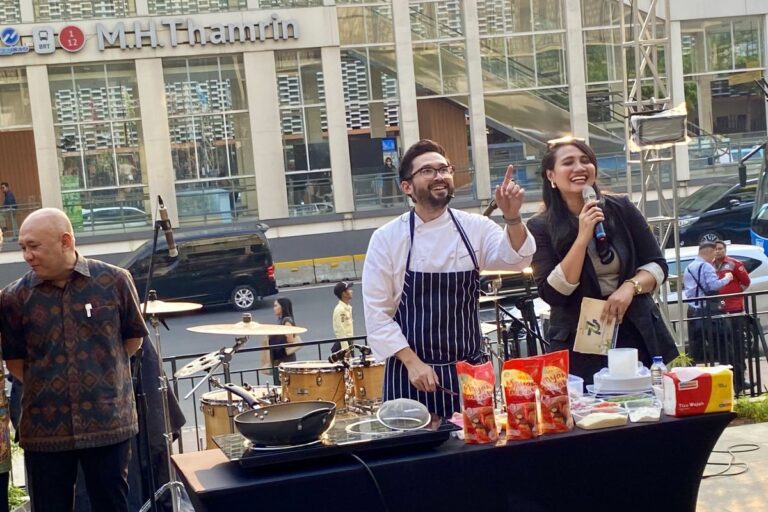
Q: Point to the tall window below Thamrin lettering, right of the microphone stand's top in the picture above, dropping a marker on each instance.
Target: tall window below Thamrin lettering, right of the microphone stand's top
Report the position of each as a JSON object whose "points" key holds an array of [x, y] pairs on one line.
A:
{"points": [[210, 139]]}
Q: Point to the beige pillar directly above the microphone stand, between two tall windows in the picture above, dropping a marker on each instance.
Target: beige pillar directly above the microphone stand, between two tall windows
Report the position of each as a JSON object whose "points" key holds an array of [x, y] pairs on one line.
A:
{"points": [[156, 136]]}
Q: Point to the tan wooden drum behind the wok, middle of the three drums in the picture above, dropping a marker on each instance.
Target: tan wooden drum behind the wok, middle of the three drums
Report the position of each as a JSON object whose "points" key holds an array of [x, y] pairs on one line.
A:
{"points": [[313, 380]]}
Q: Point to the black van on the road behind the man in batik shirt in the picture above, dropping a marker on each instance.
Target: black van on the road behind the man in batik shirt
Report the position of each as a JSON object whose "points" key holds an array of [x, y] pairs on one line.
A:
{"points": [[231, 265]]}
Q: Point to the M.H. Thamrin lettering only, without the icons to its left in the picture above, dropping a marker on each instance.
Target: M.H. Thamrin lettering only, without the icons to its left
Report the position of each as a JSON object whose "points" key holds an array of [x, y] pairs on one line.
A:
{"points": [[146, 34]]}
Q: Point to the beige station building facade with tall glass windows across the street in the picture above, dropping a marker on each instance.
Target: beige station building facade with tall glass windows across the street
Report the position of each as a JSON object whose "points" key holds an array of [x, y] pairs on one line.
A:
{"points": [[295, 112]]}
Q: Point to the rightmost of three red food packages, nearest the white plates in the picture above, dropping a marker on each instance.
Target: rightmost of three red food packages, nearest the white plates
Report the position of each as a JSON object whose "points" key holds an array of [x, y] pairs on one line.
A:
{"points": [[555, 405]]}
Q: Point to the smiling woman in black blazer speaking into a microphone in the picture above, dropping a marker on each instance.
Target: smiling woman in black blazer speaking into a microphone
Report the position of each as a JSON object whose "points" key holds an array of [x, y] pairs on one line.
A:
{"points": [[599, 247]]}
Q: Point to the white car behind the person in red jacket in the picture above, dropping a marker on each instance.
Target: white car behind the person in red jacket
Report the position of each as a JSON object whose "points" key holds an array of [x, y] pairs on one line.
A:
{"points": [[753, 258]]}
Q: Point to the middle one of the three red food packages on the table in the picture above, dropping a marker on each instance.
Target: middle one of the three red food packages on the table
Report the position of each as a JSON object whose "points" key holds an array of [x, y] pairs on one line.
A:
{"points": [[520, 379]]}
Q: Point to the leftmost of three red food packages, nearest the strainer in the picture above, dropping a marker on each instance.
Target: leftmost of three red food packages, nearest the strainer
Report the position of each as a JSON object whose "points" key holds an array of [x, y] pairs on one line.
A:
{"points": [[477, 386]]}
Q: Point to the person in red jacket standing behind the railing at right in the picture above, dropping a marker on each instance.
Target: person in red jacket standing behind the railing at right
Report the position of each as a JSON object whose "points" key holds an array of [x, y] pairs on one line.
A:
{"points": [[733, 305]]}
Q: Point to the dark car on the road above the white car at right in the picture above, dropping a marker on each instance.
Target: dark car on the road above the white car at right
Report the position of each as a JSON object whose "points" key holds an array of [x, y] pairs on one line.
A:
{"points": [[717, 211]]}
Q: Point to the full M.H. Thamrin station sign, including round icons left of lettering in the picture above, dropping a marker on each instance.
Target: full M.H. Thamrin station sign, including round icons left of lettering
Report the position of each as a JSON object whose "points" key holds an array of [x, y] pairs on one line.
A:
{"points": [[158, 34]]}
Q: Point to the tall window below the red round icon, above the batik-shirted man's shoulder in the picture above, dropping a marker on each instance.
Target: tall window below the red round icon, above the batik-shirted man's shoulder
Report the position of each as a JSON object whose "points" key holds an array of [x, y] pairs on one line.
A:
{"points": [[98, 132]]}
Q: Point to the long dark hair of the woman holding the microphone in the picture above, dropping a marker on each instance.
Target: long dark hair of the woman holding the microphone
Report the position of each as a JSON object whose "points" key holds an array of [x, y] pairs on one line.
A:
{"points": [[563, 226]]}
